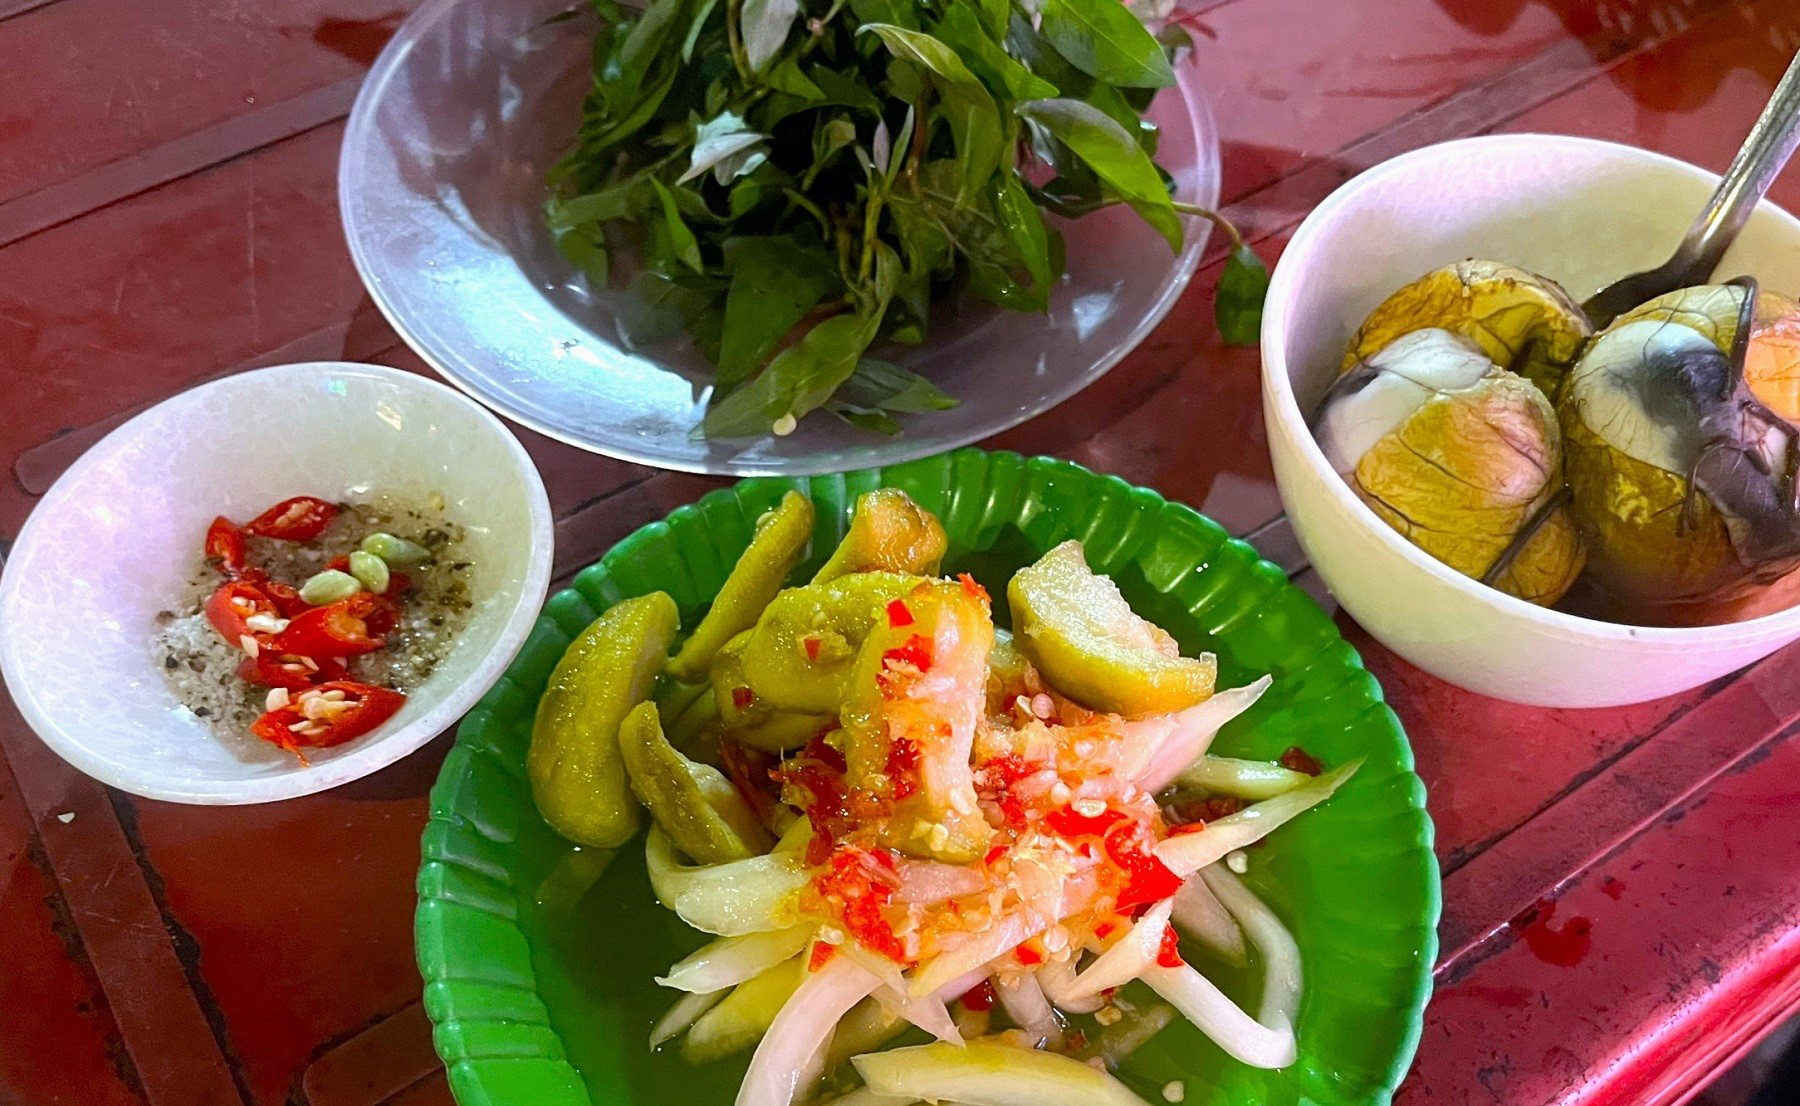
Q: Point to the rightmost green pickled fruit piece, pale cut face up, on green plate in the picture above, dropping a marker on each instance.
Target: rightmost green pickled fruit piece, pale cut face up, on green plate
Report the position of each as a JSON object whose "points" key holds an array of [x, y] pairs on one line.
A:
{"points": [[1093, 648]]}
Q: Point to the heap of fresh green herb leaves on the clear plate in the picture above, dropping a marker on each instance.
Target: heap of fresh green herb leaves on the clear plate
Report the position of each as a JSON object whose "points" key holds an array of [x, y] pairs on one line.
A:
{"points": [[796, 183]]}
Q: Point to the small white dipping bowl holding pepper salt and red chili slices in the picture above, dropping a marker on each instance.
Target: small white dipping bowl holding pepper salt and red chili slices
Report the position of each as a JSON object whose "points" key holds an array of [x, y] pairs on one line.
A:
{"points": [[121, 532]]}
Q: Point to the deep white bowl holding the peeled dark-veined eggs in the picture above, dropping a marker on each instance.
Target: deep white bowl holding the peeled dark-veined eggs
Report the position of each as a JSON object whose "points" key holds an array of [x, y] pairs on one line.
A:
{"points": [[1574, 210]]}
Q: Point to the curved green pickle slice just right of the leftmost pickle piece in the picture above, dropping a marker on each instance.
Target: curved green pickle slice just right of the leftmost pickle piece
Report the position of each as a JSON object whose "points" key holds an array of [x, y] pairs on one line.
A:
{"points": [[694, 804]]}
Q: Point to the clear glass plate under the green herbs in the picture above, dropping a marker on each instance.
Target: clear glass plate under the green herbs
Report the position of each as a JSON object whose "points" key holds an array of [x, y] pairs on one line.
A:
{"points": [[442, 186]]}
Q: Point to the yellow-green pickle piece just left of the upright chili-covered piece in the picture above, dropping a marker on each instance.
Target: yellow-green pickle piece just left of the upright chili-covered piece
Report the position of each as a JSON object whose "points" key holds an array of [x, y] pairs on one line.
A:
{"points": [[802, 651]]}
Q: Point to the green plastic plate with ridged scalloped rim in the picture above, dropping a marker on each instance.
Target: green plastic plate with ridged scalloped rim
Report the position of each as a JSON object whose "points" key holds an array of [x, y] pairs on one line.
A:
{"points": [[539, 959]]}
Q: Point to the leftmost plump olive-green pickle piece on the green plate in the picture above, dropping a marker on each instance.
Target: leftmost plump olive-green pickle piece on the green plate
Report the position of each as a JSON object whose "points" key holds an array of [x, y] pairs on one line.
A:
{"points": [[577, 774]]}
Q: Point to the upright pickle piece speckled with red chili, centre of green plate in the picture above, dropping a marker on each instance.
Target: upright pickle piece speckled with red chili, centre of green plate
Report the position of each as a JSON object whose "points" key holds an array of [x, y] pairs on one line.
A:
{"points": [[910, 723]]}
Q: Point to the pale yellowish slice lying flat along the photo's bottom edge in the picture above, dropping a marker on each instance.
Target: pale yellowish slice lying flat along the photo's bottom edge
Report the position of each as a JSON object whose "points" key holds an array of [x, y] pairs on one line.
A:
{"points": [[987, 1074]]}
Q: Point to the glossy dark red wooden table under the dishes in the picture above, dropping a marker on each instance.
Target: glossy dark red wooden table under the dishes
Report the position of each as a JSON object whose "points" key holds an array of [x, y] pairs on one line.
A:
{"points": [[1621, 911]]}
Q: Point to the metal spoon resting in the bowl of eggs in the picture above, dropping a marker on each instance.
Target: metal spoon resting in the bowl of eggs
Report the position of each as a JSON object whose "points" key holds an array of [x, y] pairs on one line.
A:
{"points": [[1772, 141]]}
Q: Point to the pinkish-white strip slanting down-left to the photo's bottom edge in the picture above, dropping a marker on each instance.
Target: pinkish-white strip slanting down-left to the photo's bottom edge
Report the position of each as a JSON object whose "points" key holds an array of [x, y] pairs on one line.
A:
{"points": [[791, 1055]]}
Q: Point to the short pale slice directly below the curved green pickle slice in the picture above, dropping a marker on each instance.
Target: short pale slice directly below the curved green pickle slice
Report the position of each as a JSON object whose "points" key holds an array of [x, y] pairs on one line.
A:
{"points": [[733, 900]]}
